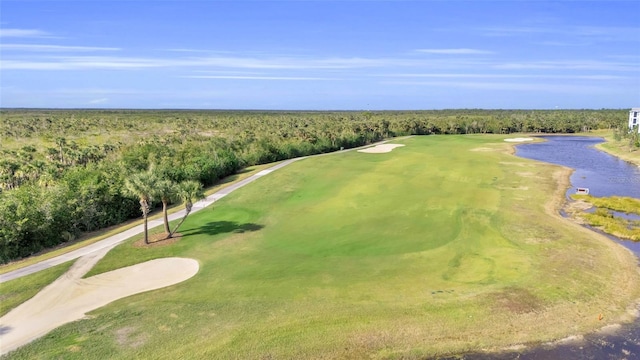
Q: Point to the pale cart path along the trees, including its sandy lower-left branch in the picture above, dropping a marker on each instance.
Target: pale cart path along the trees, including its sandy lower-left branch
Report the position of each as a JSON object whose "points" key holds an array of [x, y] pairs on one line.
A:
{"points": [[70, 297]]}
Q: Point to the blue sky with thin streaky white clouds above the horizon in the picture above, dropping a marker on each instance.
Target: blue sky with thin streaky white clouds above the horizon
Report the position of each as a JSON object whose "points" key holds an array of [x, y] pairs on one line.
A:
{"points": [[320, 55]]}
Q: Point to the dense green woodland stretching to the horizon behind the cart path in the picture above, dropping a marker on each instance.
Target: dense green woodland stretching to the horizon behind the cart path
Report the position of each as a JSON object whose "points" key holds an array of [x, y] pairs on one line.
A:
{"points": [[64, 172]]}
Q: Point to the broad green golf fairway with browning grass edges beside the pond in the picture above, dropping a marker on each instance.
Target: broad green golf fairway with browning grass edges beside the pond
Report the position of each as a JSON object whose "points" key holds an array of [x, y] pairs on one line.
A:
{"points": [[445, 245]]}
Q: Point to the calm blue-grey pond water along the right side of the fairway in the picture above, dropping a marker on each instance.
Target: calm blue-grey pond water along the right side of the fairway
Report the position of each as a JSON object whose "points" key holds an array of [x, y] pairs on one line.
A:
{"points": [[604, 175]]}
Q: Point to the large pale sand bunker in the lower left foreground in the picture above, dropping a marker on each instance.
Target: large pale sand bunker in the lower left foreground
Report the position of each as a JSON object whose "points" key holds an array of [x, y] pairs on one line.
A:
{"points": [[69, 298]]}
